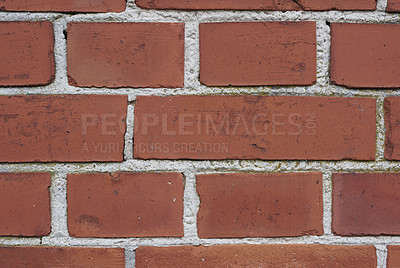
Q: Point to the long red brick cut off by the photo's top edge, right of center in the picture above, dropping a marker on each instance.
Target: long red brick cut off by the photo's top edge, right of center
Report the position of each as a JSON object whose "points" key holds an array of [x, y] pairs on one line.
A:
{"points": [[259, 4]]}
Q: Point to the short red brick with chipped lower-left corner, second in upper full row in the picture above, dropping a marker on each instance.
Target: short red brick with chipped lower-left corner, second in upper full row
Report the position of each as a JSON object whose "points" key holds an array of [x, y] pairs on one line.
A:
{"points": [[126, 54]]}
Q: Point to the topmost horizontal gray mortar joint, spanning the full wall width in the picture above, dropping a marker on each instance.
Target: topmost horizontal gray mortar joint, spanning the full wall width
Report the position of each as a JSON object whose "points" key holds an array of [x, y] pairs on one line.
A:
{"points": [[143, 15]]}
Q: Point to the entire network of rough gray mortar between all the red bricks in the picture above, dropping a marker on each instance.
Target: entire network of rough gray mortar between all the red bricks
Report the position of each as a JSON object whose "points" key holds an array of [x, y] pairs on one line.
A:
{"points": [[59, 235]]}
